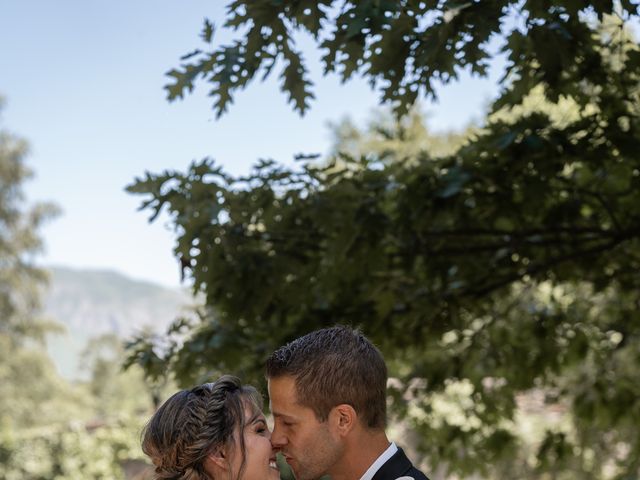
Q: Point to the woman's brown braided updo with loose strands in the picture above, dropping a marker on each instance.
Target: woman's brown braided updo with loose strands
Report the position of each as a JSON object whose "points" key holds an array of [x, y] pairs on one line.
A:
{"points": [[193, 423]]}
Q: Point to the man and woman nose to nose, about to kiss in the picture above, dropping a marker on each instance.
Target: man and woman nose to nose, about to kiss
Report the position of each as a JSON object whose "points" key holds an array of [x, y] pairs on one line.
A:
{"points": [[327, 396]]}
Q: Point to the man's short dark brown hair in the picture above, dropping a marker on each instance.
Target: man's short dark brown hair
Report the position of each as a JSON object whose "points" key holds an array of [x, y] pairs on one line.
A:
{"points": [[333, 366]]}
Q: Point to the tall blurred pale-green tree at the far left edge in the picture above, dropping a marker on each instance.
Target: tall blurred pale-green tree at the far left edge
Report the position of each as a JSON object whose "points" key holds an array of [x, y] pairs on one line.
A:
{"points": [[21, 330]]}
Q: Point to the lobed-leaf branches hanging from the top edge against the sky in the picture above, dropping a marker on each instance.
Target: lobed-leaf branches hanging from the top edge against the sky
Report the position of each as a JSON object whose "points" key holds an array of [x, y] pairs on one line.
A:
{"points": [[404, 48]]}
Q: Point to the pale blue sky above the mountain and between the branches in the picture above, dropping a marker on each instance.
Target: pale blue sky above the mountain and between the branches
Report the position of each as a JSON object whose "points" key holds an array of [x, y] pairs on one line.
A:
{"points": [[83, 84]]}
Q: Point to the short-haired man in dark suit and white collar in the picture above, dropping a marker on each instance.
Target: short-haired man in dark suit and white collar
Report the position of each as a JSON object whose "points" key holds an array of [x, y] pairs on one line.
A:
{"points": [[327, 392]]}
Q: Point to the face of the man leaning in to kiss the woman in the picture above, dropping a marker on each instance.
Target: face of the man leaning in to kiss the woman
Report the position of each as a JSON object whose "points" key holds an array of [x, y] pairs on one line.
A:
{"points": [[310, 447]]}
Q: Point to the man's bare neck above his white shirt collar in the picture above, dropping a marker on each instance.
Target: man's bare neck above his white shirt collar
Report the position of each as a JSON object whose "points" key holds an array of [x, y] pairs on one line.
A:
{"points": [[359, 454]]}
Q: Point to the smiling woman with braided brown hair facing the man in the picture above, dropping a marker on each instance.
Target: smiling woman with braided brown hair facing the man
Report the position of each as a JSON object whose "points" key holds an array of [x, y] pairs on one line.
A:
{"points": [[215, 431]]}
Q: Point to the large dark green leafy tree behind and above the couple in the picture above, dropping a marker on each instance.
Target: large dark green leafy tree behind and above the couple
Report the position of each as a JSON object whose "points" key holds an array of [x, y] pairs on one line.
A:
{"points": [[501, 272]]}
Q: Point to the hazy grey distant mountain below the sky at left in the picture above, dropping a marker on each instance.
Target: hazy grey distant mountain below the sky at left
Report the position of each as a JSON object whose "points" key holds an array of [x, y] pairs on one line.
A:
{"points": [[89, 303]]}
